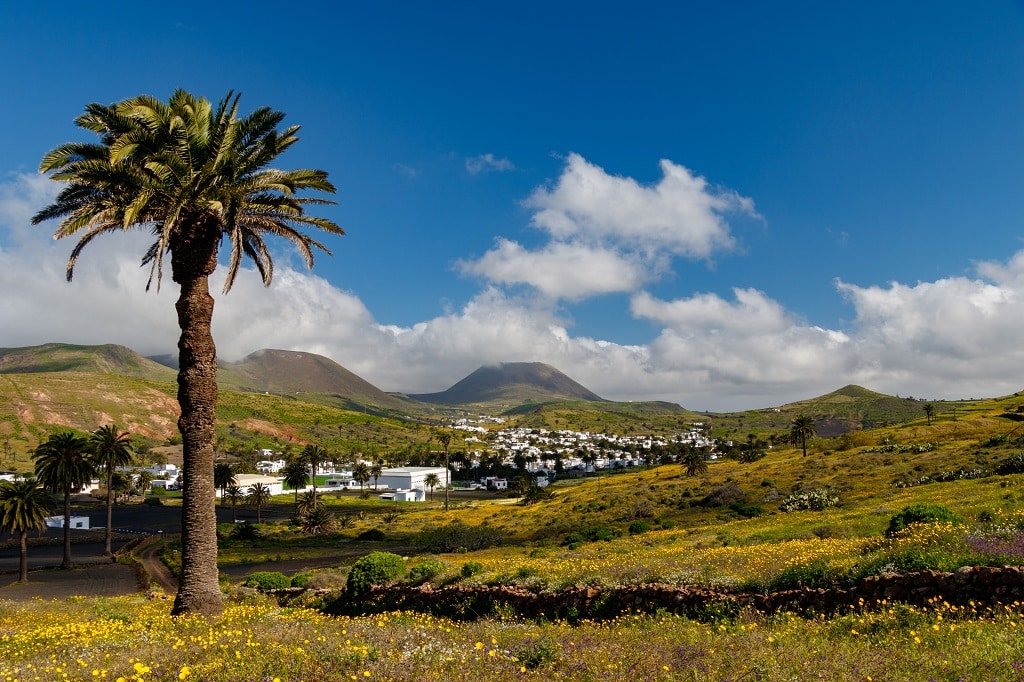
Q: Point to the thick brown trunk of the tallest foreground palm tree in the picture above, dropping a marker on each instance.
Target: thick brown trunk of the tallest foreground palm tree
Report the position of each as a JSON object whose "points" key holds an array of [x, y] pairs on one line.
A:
{"points": [[198, 588]]}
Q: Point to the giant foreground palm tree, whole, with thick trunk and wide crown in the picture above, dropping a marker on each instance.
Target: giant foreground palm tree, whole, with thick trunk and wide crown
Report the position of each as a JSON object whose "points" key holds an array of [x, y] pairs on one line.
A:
{"points": [[195, 176]]}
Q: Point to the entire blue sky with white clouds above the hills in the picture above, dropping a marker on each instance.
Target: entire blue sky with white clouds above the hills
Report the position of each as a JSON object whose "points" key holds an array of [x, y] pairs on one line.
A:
{"points": [[724, 205]]}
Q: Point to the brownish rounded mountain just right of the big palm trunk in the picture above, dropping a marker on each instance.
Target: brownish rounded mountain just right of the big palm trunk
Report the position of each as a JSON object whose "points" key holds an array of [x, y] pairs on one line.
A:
{"points": [[290, 373]]}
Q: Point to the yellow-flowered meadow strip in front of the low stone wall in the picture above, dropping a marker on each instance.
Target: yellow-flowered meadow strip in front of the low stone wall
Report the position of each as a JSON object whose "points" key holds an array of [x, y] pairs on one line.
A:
{"points": [[135, 638]]}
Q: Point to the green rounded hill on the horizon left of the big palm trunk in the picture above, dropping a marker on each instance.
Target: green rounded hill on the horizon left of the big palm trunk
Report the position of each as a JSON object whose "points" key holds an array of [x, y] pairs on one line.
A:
{"points": [[109, 359]]}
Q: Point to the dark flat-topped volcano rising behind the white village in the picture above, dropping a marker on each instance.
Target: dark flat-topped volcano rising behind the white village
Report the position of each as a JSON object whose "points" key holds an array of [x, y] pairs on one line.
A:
{"points": [[511, 383]]}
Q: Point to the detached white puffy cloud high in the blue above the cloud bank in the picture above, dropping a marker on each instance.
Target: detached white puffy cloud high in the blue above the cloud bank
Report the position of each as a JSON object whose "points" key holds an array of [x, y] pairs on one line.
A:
{"points": [[610, 234]]}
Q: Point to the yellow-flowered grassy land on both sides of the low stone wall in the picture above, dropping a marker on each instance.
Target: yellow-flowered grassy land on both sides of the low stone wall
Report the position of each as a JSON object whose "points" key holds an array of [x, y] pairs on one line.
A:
{"points": [[726, 530]]}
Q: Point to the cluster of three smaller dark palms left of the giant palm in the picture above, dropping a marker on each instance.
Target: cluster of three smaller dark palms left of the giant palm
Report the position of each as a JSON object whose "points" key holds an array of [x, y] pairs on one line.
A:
{"points": [[65, 463]]}
